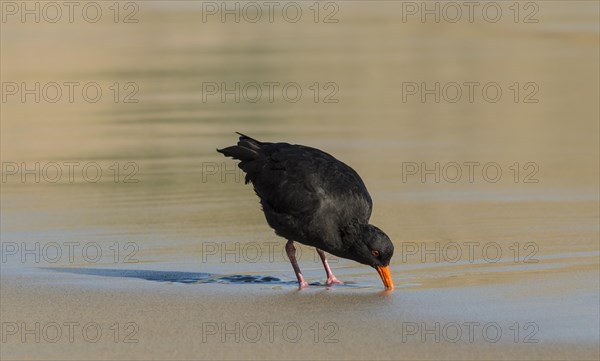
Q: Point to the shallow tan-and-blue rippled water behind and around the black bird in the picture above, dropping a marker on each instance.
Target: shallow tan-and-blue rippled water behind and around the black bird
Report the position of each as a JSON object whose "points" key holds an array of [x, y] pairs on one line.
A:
{"points": [[175, 205]]}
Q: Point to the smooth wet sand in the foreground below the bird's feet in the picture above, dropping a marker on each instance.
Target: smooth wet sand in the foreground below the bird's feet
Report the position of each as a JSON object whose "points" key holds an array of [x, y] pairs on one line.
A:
{"points": [[175, 321]]}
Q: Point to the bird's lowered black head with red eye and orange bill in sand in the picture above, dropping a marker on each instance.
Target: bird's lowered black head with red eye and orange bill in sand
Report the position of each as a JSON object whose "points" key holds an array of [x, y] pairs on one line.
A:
{"points": [[374, 248]]}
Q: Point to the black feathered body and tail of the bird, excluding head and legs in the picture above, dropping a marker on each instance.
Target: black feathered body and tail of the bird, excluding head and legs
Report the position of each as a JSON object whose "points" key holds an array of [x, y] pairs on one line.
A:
{"points": [[305, 192]]}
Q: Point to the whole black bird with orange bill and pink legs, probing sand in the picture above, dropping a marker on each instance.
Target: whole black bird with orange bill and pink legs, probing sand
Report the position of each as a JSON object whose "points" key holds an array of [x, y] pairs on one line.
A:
{"points": [[310, 197]]}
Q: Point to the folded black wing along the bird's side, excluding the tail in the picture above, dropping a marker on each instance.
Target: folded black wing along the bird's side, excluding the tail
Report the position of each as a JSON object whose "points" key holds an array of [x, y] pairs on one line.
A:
{"points": [[300, 181]]}
